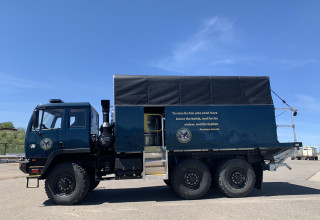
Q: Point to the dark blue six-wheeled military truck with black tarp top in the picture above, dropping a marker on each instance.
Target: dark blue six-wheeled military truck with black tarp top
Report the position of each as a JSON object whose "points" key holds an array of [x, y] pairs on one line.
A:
{"points": [[193, 132]]}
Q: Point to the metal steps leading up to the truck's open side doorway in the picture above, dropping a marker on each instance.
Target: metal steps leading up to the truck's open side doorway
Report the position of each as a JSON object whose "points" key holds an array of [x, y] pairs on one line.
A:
{"points": [[155, 163]]}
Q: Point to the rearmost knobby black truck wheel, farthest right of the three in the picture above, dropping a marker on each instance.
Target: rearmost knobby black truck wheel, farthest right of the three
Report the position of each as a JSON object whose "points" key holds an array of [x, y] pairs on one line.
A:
{"points": [[235, 178]]}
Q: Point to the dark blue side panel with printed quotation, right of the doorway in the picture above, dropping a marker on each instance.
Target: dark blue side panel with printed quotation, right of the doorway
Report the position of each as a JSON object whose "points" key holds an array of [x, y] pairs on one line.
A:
{"points": [[220, 127]]}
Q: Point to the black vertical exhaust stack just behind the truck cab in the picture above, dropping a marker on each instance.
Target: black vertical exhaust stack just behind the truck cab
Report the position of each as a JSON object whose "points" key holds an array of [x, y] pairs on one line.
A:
{"points": [[106, 136]]}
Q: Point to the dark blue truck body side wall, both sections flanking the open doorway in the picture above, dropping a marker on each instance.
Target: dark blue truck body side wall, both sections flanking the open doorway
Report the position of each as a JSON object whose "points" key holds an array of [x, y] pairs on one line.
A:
{"points": [[209, 127]]}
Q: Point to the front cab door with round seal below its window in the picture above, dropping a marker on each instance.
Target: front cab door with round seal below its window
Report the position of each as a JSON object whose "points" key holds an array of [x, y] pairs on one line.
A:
{"points": [[49, 136]]}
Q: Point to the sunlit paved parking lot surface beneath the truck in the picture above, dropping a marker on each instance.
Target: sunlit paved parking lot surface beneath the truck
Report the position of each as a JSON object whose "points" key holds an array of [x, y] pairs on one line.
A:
{"points": [[286, 194]]}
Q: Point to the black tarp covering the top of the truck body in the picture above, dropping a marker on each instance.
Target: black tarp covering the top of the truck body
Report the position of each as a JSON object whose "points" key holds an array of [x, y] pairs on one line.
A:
{"points": [[191, 90]]}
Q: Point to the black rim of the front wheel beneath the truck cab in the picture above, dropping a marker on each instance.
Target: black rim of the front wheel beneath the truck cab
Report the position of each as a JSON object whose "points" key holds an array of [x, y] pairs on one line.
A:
{"points": [[65, 184]]}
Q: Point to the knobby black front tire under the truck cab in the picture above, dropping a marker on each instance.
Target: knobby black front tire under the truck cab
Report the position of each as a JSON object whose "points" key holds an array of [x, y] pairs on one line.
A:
{"points": [[67, 183]]}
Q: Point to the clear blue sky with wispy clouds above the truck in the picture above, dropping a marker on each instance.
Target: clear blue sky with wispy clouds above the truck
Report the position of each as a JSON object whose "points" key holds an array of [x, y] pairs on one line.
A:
{"points": [[71, 49]]}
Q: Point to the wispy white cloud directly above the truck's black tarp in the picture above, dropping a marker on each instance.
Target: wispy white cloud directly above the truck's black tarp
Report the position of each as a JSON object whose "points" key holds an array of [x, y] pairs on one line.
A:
{"points": [[207, 47]]}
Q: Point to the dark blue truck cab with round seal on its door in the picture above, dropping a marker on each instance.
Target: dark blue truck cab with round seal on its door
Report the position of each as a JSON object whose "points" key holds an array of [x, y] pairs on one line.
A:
{"points": [[60, 128]]}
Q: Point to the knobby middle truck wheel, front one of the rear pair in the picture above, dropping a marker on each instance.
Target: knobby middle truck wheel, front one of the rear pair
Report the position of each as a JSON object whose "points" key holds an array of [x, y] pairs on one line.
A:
{"points": [[191, 179]]}
